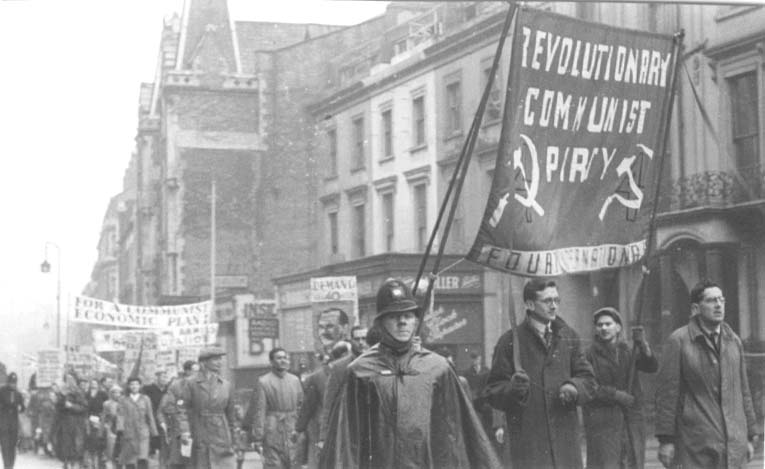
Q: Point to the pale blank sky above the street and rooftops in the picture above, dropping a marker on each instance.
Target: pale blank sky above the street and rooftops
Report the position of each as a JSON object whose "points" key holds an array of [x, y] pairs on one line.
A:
{"points": [[70, 73]]}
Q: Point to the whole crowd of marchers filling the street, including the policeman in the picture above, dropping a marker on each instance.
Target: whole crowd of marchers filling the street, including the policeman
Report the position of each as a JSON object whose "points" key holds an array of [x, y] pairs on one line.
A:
{"points": [[380, 399]]}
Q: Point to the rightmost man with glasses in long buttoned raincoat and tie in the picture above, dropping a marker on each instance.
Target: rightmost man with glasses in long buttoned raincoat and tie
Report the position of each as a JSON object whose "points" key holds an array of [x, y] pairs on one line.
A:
{"points": [[704, 412]]}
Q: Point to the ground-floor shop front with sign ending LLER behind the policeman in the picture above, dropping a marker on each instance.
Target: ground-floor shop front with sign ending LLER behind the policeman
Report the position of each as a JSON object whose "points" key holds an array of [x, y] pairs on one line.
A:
{"points": [[456, 321]]}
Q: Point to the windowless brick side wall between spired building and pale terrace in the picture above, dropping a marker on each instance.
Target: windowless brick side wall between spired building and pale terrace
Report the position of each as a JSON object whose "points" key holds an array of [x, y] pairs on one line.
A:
{"points": [[299, 75]]}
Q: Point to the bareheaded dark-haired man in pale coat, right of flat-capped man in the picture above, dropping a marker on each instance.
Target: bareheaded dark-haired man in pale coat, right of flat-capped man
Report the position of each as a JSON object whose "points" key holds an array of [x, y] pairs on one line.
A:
{"points": [[279, 395]]}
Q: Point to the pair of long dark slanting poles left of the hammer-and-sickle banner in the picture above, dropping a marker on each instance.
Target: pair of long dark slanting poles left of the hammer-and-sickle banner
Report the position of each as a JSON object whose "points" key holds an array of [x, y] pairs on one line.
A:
{"points": [[466, 155]]}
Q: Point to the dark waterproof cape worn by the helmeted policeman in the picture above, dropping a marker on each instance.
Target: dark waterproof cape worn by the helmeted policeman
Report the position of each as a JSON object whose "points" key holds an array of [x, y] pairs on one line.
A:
{"points": [[404, 410]]}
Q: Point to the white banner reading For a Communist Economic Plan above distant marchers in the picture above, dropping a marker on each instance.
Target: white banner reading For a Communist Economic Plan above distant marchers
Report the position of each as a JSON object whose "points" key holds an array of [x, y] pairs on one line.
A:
{"points": [[94, 311]]}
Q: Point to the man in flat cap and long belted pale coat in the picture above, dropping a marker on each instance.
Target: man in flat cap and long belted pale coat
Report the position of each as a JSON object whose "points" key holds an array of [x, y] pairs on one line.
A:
{"points": [[206, 413]]}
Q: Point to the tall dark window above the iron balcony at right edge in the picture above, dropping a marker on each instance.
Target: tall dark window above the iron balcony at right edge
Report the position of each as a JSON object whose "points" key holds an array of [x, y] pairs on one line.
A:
{"points": [[745, 121]]}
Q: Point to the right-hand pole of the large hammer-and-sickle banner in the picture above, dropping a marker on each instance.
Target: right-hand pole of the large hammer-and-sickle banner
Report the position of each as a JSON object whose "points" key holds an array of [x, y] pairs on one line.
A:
{"points": [[643, 293]]}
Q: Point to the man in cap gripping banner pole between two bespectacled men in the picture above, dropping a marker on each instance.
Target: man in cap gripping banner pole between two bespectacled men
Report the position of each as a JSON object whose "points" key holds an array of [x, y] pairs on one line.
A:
{"points": [[613, 419]]}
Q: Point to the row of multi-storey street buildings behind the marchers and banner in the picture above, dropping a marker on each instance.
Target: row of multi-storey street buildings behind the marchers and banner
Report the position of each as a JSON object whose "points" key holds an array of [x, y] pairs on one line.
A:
{"points": [[332, 148]]}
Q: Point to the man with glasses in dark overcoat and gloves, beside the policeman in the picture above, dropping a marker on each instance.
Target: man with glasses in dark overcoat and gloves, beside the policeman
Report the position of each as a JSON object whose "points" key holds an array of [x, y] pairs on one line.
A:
{"points": [[540, 398]]}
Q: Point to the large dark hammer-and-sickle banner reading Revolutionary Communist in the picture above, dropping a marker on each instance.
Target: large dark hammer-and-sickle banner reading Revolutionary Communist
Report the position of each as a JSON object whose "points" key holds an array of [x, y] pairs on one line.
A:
{"points": [[578, 158]]}
